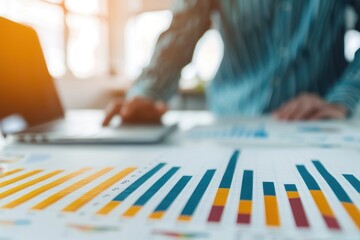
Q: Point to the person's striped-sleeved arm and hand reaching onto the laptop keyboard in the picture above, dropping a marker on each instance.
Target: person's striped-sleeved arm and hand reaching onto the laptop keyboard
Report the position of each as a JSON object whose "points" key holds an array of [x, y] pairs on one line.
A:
{"points": [[145, 101]]}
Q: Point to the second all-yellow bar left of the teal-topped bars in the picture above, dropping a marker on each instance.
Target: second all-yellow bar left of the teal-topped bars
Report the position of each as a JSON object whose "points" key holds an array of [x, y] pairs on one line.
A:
{"points": [[63, 193]]}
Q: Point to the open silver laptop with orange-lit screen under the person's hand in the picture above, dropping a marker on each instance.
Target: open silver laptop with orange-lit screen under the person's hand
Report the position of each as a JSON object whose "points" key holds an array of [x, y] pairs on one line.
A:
{"points": [[30, 107]]}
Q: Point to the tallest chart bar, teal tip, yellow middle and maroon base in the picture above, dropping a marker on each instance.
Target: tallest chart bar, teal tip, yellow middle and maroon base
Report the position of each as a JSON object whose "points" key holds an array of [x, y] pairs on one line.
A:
{"points": [[223, 191]]}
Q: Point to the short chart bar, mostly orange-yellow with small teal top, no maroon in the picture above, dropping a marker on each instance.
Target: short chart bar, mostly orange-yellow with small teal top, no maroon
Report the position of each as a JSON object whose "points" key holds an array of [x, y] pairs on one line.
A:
{"points": [[271, 205]]}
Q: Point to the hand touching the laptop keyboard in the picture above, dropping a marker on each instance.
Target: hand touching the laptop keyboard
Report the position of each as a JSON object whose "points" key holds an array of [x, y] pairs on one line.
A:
{"points": [[135, 111]]}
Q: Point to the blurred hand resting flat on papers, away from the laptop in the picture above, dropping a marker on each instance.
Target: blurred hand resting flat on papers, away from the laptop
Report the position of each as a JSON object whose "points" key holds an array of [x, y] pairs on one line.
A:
{"points": [[310, 107]]}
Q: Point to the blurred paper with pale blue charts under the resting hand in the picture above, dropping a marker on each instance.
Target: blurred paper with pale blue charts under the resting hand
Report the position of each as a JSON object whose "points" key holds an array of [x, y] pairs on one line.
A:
{"points": [[272, 133]]}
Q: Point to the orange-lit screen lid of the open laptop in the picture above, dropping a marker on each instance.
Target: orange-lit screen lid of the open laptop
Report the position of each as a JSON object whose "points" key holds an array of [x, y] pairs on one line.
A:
{"points": [[27, 92]]}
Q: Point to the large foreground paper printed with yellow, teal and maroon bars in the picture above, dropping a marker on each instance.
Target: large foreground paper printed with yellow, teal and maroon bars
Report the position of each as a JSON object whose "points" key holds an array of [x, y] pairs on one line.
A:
{"points": [[180, 193]]}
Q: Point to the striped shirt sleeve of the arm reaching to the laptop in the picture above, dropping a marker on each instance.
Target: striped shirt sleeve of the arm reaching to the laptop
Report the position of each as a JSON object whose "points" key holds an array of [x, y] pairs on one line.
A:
{"points": [[174, 50]]}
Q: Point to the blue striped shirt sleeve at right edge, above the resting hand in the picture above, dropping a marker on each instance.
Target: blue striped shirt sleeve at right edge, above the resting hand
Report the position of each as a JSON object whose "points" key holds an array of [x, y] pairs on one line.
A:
{"points": [[347, 91]]}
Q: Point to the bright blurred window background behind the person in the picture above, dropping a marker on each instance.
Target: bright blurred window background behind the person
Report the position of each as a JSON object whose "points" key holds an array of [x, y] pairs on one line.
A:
{"points": [[95, 49]]}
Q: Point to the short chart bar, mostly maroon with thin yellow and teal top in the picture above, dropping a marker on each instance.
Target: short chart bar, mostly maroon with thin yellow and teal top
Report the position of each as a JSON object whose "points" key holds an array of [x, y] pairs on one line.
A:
{"points": [[296, 206]]}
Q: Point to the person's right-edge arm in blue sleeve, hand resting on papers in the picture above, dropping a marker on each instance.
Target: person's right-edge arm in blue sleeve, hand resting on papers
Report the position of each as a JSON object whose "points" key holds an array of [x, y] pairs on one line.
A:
{"points": [[339, 103]]}
